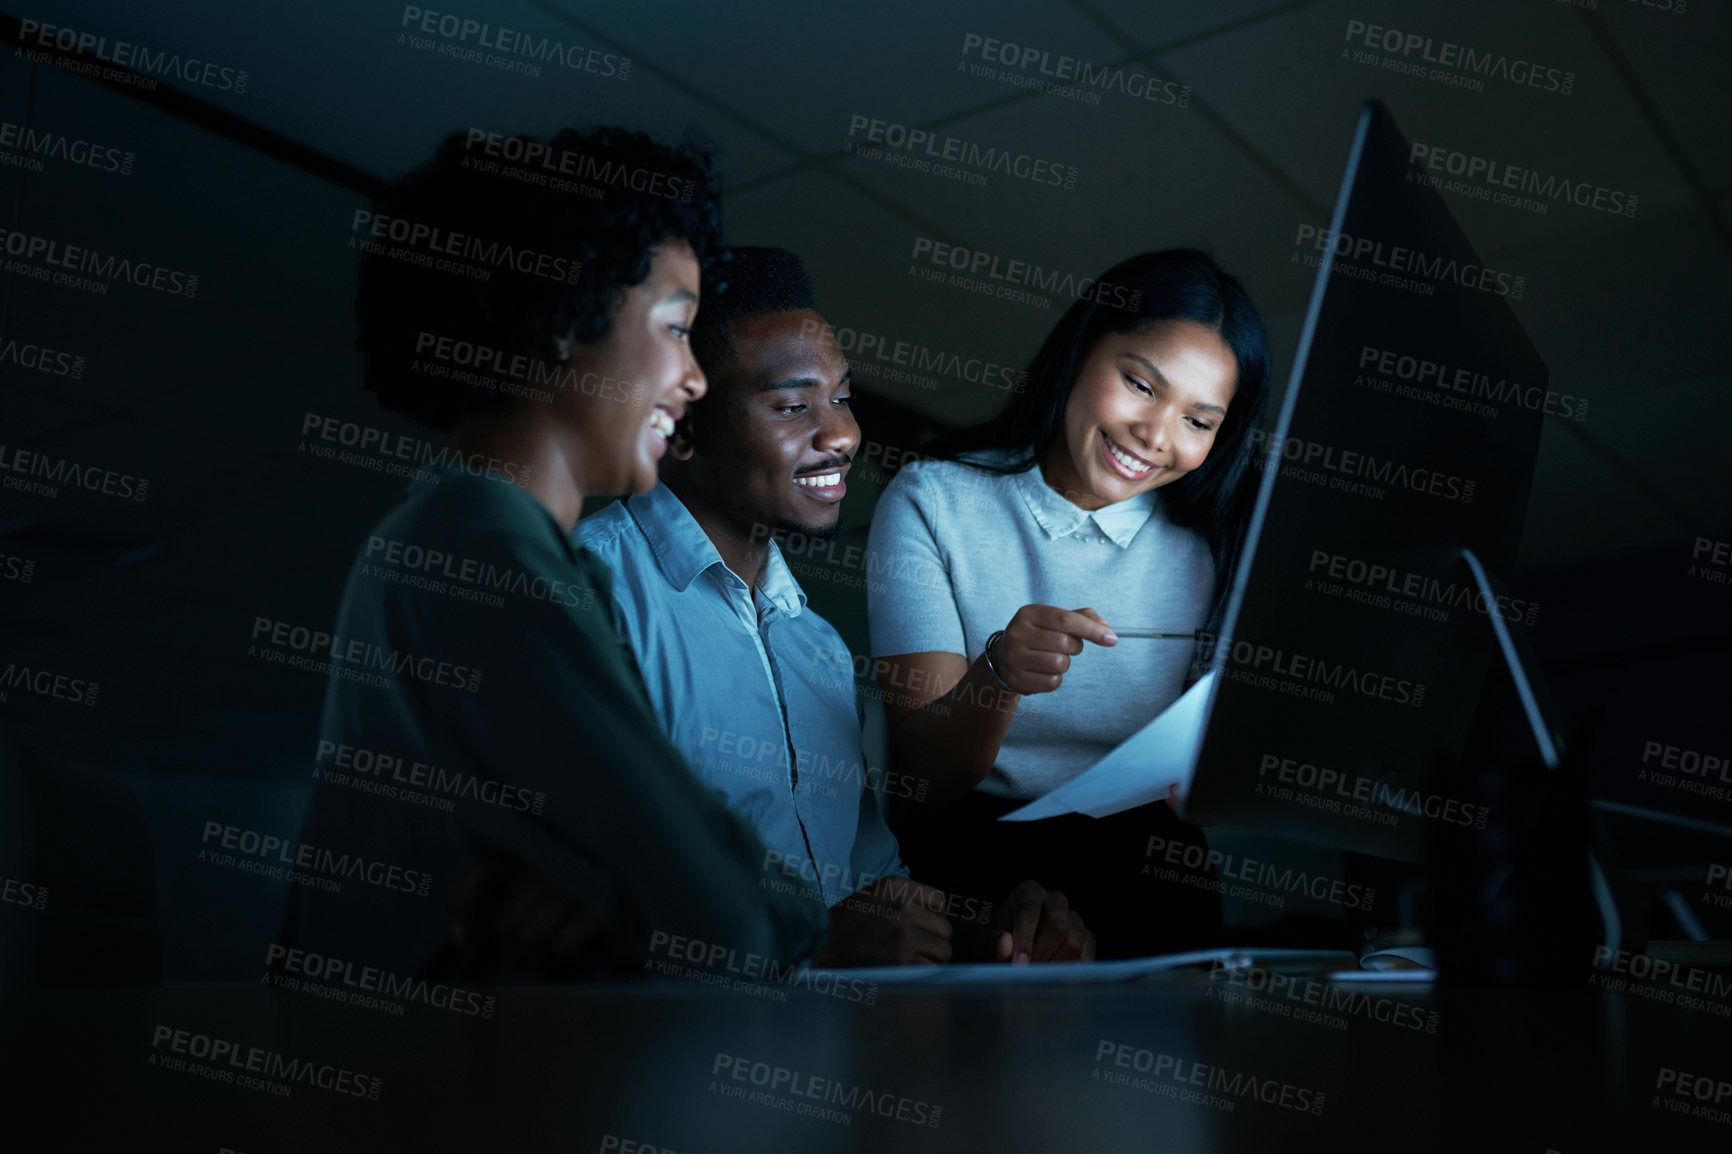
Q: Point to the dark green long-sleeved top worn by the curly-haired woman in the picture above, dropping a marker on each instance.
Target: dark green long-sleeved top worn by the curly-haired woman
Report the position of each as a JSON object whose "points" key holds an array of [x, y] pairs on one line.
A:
{"points": [[481, 696]]}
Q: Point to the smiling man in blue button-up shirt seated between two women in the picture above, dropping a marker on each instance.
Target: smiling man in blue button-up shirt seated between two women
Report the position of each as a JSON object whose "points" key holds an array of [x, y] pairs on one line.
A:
{"points": [[742, 675]]}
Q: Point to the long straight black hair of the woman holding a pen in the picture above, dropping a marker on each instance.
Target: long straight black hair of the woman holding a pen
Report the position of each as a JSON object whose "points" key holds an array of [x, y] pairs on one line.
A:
{"points": [[1172, 285]]}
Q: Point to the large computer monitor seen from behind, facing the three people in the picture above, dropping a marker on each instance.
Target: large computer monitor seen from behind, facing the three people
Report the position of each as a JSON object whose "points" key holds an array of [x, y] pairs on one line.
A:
{"points": [[1355, 640]]}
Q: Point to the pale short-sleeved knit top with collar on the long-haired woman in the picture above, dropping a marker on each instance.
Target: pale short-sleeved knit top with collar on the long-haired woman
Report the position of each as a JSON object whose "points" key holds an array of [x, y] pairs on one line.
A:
{"points": [[976, 547]]}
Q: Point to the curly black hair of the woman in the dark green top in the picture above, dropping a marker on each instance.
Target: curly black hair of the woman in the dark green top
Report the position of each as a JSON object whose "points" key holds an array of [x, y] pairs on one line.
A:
{"points": [[519, 247]]}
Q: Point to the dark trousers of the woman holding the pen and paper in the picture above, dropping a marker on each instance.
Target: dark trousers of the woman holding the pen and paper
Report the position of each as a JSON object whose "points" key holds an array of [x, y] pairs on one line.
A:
{"points": [[1141, 879]]}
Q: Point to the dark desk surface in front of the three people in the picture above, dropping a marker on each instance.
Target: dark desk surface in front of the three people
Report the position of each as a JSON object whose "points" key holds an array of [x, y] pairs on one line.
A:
{"points": [[1179, 1063]]}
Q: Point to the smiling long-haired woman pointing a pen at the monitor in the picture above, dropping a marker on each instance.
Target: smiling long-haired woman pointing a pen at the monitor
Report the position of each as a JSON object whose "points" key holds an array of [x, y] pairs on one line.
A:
{"points": [[1113, 491]]}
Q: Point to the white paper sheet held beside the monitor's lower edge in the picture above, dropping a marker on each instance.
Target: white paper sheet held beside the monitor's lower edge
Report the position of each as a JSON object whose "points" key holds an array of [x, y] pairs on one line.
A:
{"points": [[1142, 770]]}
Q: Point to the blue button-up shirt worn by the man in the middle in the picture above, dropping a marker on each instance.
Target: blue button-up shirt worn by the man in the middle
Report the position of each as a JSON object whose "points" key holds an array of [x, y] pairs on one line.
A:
{"points": [[740, 677]]}
